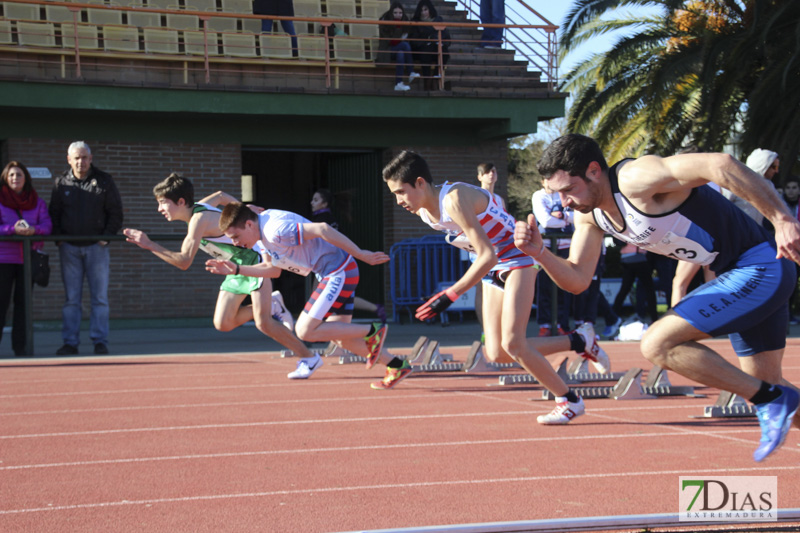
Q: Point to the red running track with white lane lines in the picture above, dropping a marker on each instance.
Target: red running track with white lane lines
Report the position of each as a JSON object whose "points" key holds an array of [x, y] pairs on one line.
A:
{"points": [[226, 443]]}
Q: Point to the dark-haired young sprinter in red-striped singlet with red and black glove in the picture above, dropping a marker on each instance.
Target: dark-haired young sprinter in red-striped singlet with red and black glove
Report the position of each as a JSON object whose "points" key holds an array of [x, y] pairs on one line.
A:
{"points": [[475, 221]]}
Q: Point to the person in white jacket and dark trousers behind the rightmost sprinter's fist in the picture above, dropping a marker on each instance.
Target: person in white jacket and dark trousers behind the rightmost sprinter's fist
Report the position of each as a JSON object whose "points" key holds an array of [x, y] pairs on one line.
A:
{"points": [[551, 215]]}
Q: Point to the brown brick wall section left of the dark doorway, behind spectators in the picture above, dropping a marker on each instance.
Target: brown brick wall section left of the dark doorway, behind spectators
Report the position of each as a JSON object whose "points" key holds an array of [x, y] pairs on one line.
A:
{"points": [[141, 285]]}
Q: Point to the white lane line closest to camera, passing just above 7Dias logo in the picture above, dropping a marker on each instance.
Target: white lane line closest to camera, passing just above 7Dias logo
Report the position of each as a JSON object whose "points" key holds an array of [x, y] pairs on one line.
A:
{"points": [[392, 486]]}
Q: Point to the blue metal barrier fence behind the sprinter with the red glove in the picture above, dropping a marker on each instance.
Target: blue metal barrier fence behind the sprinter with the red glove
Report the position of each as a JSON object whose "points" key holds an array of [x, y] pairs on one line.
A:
{"points": [[418, 266]]}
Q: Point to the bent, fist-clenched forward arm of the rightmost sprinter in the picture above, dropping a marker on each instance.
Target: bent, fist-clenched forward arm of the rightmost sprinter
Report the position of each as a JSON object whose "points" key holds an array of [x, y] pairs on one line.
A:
{"points": [[575, 273]]}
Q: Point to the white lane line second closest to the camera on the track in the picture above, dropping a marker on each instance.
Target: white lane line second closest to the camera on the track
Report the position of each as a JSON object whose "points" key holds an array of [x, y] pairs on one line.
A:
{"points": [[348, 449]]}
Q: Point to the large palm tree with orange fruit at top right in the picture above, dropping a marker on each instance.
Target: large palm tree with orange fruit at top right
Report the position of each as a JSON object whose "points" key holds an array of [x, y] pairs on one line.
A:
{"points": [[688, 72]]}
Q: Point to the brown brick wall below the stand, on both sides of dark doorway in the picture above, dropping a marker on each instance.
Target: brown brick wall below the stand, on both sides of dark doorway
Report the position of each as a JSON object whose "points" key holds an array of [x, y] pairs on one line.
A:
{"points": [[143, 286]]}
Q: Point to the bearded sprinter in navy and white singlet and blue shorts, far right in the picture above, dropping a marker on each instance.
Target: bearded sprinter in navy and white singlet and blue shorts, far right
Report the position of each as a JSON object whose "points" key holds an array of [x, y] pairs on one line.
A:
{"points": [[664, 205]]}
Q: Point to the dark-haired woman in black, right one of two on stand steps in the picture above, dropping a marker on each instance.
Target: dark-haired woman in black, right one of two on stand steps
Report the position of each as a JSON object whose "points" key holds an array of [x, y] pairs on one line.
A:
{"points": [[425, 44]]}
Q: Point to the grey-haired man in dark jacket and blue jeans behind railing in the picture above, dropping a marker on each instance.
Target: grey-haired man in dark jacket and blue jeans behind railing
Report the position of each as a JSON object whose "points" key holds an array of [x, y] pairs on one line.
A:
{"points": [[85, 201]]}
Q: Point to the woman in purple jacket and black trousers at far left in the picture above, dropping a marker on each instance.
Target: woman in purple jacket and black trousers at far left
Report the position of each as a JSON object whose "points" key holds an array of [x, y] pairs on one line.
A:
{"points": [[22, 212]]}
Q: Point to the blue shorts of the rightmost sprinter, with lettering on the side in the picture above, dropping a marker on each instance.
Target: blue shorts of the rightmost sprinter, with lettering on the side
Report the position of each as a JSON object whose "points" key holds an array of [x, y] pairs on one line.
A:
{"points": [[749, 303]]}
